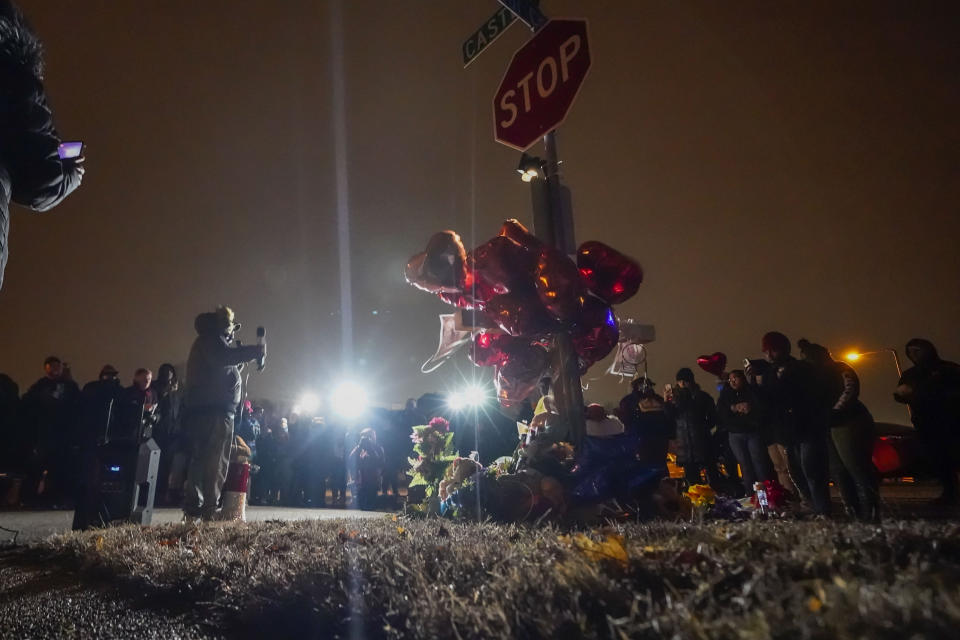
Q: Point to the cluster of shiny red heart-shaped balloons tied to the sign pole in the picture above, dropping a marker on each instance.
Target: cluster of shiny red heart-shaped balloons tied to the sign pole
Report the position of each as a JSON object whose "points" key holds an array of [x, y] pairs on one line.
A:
{"points": [[528, 290]]}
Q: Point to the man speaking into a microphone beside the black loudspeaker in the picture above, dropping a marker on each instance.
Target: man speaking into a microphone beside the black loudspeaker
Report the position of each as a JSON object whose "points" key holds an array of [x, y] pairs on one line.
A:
{"points": [[212, 396]]}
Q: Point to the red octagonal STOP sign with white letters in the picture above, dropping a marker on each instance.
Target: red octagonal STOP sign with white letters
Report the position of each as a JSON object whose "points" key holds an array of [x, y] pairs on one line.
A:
{"points": [[541, 83]]}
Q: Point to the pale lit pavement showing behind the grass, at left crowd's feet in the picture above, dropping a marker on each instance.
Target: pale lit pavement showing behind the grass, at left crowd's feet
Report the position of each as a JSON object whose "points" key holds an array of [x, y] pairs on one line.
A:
{"points": [[36, 525]]}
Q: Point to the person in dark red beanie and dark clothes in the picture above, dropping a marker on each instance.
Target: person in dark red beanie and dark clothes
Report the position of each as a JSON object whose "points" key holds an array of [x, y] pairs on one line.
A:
{"points": [[798, 414]]}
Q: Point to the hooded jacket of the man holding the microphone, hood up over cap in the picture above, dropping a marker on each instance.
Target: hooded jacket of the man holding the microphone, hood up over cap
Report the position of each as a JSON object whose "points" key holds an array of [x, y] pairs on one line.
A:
{"points": [[213, 378]]}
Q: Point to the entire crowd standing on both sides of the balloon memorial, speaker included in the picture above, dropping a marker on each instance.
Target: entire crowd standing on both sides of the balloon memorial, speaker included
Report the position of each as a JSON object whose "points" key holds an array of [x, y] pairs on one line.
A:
{"points": [[797, 421]]}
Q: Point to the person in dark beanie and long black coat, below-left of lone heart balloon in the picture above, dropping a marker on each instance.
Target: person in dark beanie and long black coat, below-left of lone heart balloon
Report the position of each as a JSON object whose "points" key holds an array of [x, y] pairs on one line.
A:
{"points": [[695, 416]]}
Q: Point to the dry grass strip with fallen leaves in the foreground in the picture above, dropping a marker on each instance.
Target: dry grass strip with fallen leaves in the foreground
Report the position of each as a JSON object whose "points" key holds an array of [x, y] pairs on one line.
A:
{"points": [[432, 579]]}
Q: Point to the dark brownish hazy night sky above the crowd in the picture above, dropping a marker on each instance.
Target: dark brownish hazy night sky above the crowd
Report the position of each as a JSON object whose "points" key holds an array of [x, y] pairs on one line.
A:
{"points": [[773, 165]]}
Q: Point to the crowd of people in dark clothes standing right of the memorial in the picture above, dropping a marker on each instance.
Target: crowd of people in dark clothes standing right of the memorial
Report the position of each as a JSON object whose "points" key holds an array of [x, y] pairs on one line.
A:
{"points": [[798, 421]]}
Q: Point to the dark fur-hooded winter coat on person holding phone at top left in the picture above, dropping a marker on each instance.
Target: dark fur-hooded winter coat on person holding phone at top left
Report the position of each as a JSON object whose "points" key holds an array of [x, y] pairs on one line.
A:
{"points": [[31, 171]]}
